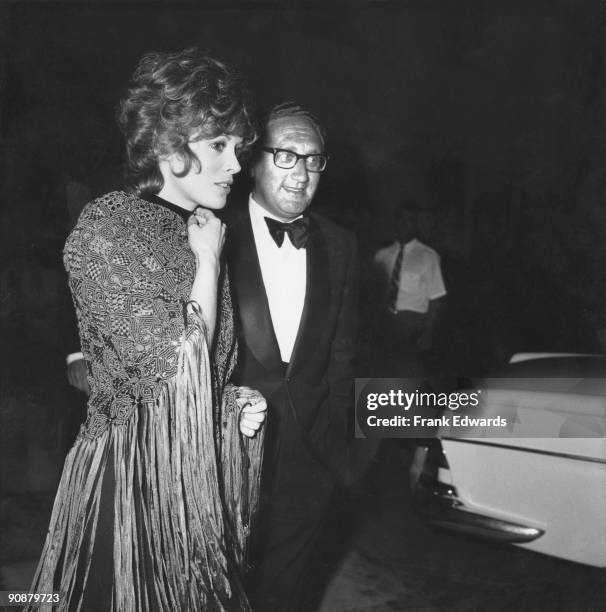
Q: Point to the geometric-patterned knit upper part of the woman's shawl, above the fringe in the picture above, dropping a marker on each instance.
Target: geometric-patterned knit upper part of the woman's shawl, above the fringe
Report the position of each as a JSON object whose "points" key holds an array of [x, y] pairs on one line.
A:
{"points": [[129, 275]]}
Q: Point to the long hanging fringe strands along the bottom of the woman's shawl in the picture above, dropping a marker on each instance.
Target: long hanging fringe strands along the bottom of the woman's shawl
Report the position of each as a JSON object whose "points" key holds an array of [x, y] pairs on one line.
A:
{"points": [[183, 500]]}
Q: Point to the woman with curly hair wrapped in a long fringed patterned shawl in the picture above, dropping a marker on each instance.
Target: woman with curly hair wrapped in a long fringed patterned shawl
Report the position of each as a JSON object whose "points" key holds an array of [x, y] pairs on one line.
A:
{"points": [[158, 492]]}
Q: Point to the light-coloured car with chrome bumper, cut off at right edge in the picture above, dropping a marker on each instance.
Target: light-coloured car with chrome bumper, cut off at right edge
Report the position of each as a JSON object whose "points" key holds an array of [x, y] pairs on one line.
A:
{"points": [[541, 483]]}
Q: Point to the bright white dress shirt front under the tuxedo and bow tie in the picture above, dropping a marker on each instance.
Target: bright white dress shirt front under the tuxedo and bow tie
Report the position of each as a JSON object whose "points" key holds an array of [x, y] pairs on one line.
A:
{"points": [[284, 271]]}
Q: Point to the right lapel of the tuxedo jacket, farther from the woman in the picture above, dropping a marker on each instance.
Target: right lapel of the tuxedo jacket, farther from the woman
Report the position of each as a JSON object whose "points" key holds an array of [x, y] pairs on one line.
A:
{"points": [[317, 299]]}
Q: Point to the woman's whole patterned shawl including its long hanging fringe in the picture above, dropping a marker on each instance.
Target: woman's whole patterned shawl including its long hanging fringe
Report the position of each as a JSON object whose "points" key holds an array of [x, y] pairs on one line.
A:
{"points": [[158, 492]]}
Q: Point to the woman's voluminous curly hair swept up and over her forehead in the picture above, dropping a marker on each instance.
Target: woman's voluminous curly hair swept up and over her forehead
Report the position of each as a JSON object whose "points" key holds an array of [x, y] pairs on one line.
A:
{"points": [[174, 98]]}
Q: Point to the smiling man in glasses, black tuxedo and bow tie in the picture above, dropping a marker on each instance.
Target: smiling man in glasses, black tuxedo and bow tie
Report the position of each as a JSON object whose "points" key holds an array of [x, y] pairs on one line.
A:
{"points": [[293, 276]]}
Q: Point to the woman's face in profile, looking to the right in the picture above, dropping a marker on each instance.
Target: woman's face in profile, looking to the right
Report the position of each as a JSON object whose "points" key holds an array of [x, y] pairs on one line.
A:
{"points": [[210, 185]]}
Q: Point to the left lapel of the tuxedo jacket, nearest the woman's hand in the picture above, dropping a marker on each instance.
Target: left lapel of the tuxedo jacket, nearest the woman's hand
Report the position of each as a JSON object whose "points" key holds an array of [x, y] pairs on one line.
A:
{"points": [[251, 299]]}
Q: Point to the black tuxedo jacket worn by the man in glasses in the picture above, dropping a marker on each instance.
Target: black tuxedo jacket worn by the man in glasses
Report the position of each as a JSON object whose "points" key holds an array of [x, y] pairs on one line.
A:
{"points": [[317, 385]]}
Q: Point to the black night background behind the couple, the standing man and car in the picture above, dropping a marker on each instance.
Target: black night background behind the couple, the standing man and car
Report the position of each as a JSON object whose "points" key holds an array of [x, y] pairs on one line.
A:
{"points": [[492, 115]]}
